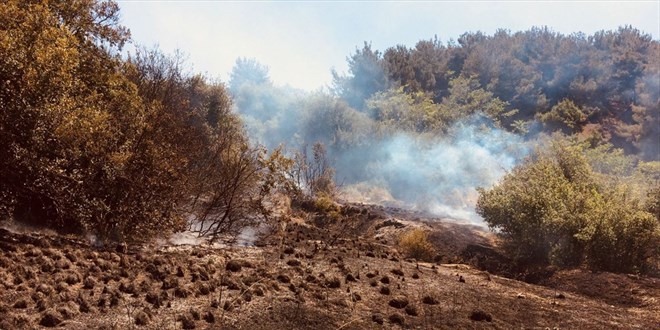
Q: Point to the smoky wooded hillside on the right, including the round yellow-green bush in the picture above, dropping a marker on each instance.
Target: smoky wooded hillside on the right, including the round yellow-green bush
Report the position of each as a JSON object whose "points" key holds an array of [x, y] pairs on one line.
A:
{"points": [[552, 140]]}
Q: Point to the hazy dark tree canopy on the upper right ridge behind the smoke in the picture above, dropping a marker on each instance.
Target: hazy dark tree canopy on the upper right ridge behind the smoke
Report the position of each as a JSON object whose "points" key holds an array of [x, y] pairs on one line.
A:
{"points": [[605, 85]]}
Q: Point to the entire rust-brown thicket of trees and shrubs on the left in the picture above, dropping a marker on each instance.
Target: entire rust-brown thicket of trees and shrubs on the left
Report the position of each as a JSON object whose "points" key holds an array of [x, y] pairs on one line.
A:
{"points": [[126, 149]]}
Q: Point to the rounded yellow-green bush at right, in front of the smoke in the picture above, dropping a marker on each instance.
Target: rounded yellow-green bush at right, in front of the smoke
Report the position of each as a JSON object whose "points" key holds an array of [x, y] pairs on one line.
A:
{"points": [[554, 209]]}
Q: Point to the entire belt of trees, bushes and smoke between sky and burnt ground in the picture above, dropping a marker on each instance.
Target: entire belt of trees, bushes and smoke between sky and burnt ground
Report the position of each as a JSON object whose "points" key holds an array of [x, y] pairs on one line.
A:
{"points": [[130, 145]]}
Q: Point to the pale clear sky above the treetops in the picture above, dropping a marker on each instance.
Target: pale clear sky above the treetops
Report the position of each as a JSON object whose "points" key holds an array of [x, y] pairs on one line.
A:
{"points": [[301, 41]]}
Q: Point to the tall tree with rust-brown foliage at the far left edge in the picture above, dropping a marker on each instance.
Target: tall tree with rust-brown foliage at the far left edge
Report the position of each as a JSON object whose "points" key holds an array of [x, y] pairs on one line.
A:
{"points": [[64, 103]]}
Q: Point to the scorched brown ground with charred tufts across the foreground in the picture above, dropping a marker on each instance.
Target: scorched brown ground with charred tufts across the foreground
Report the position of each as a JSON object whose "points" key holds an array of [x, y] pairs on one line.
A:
{"points": [[311, 275]]}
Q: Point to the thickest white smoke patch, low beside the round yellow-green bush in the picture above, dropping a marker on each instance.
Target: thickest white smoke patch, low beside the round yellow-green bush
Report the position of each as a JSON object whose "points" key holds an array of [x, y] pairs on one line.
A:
{"points": [[438, 175]]}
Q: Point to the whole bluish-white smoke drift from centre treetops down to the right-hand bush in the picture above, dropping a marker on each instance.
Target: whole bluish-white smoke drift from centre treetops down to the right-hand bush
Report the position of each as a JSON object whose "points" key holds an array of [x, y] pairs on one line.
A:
{"points": [[436, 174]]}
